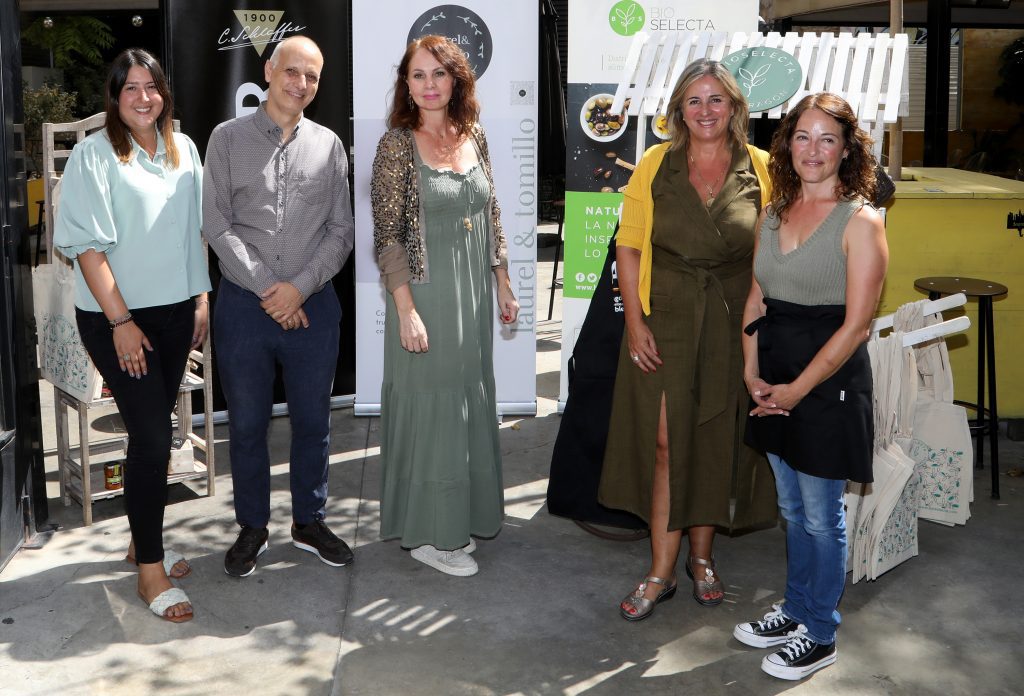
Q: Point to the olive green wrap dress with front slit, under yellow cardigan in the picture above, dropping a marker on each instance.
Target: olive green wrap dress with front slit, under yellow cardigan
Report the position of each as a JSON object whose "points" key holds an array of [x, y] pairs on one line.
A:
{"points": [[701, 277]]}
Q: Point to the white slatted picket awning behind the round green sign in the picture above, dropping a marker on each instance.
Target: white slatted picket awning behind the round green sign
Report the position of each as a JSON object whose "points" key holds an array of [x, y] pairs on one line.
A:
{"points": [[866, 70]]}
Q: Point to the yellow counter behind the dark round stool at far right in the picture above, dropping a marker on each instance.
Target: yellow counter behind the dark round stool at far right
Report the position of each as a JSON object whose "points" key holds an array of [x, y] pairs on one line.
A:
{"points": [[961, 231]]}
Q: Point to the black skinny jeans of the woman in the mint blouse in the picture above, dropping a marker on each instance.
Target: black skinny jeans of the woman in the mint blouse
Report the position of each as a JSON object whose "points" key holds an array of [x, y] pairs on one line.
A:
{"points": [[146, 407]]}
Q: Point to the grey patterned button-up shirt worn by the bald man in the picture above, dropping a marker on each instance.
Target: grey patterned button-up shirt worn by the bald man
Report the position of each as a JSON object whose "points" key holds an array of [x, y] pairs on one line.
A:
{"points": [[276, 211]]}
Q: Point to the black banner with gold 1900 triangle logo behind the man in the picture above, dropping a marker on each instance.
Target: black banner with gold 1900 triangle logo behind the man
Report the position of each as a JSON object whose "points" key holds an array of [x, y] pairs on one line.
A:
{"points": [[215, 57]]}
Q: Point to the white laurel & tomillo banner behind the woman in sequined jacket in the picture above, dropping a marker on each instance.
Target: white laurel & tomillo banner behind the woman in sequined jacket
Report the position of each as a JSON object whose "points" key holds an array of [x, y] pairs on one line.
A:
{"points": [[501, 42]]}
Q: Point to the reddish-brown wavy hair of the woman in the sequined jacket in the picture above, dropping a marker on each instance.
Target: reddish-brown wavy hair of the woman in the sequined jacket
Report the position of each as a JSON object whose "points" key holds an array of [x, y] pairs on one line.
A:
{"points": [[463, 109]]}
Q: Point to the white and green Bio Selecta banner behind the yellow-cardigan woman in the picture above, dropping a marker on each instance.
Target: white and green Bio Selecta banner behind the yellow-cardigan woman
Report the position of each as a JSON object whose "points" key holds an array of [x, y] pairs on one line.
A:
{"points": [[603, 33]]}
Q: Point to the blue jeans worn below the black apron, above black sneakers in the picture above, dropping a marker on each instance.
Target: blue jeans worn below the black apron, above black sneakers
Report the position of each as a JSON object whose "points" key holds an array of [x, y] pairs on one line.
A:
{"points": [[816, 538]]}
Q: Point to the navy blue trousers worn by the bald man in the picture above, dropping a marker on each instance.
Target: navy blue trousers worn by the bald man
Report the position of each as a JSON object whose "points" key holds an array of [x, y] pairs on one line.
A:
{"points": [[249, 345]]}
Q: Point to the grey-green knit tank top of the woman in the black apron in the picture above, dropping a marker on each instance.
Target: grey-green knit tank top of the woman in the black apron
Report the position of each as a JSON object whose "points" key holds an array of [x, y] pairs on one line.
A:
{"points": [[815, 274]]}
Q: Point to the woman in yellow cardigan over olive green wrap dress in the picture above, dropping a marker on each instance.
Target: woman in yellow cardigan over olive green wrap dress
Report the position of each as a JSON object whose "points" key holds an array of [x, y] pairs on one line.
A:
{"points": [[675, 455]]}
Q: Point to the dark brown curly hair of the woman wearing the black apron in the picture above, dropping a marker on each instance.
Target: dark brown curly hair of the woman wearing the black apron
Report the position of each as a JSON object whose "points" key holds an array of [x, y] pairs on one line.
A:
{"points": [[857, 171]]}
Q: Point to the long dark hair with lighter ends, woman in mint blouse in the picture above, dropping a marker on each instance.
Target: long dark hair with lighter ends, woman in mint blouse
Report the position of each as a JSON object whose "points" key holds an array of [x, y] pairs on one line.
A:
{"points": [[116, 129]]}
